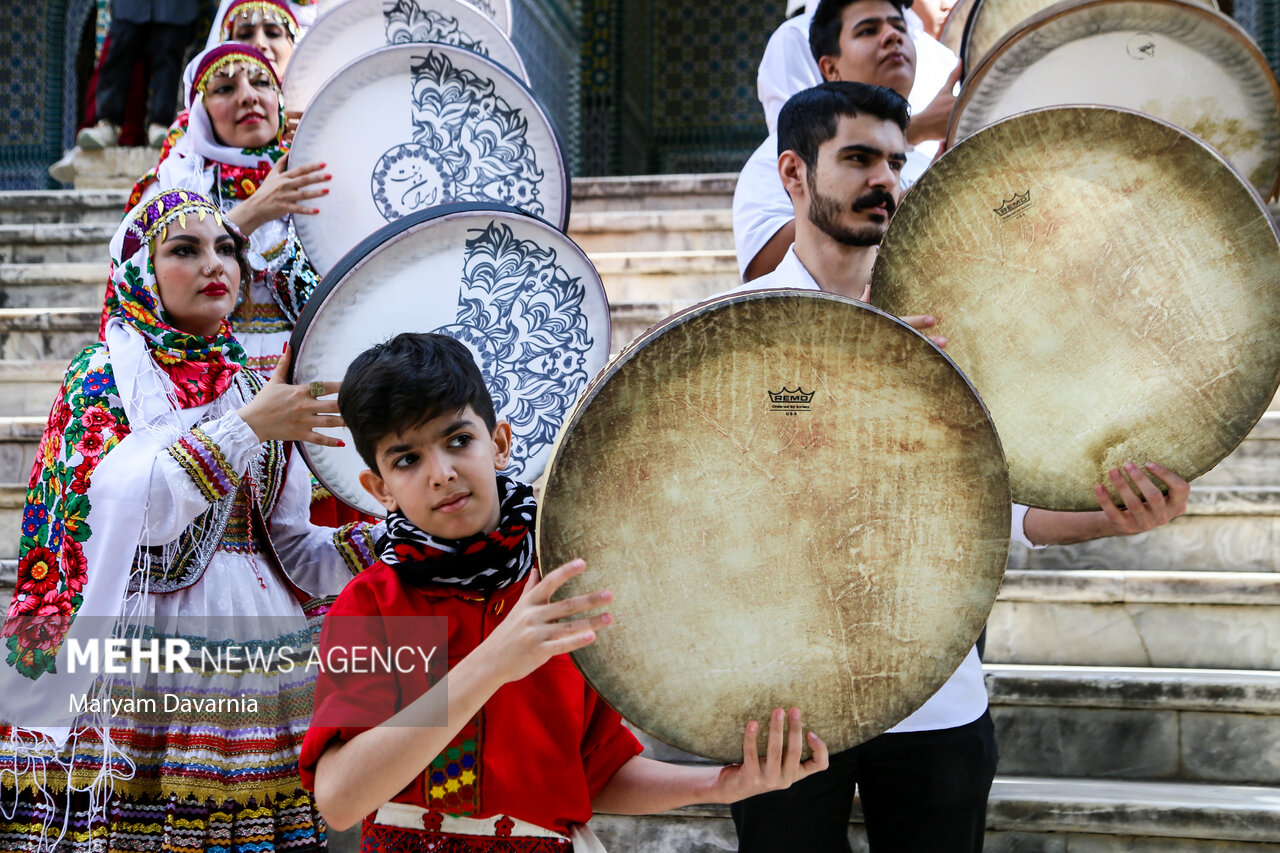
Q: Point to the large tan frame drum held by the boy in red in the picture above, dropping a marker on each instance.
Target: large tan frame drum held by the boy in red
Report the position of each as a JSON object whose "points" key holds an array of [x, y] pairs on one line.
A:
{"points": [[798, 501]]}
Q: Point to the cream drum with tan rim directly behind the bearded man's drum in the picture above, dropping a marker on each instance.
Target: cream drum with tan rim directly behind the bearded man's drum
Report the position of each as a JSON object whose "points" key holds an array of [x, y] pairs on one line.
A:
{"points": [[1178, 61]]}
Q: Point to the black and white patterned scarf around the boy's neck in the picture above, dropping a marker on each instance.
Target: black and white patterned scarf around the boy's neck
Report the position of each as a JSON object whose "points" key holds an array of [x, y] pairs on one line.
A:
{"points": [[484, 563]]}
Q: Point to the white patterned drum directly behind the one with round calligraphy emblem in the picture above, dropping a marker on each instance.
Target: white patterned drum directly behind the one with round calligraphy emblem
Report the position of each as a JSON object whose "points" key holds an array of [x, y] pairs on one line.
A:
{"points": [[358, 28]]}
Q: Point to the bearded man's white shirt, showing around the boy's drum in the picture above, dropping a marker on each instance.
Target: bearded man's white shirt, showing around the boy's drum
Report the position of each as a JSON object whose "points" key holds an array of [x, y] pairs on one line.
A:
{"points": [[963, 697]]}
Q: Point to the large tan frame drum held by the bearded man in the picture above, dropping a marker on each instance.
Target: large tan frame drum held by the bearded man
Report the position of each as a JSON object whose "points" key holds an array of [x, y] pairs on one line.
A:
{"points": [[1108, 282]]}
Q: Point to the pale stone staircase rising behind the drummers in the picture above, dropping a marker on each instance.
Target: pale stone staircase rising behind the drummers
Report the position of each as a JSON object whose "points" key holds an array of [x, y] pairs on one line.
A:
{"points": [[1135, 685]]}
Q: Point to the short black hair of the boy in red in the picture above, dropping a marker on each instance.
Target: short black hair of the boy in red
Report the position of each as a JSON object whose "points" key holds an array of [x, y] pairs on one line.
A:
{"points": [[406, 382]]}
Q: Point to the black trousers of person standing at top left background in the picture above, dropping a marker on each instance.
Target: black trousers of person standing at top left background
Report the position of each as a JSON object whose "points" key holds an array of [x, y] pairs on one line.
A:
{"points": [[164, 47]]}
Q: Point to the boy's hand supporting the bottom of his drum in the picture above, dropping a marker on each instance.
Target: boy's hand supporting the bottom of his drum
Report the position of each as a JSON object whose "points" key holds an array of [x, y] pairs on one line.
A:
{"points": [[781, 765]]}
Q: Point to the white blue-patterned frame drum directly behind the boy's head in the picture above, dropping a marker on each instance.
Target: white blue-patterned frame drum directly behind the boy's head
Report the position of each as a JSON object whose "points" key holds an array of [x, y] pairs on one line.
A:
{"points": [[520, 294]]}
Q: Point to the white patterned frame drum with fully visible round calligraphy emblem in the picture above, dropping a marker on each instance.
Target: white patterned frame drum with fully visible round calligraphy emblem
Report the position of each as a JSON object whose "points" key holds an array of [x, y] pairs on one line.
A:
{"points": [[412, 127]]}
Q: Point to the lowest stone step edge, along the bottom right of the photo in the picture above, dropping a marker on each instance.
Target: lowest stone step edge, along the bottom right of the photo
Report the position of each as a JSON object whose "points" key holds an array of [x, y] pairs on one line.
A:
{"points": [[1114, 808]]}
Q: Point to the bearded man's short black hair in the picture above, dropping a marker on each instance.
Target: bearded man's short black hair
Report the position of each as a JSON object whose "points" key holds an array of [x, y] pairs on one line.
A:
{"points": [[811, 117]]}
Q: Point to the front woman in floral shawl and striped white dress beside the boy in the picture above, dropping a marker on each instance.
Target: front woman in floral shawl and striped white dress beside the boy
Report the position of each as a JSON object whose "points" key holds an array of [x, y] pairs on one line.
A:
{"points": [[166, 505]]}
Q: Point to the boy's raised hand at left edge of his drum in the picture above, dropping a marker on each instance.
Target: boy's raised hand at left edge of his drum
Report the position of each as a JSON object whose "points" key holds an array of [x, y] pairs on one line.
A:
{"points": [[534, 632]]}
